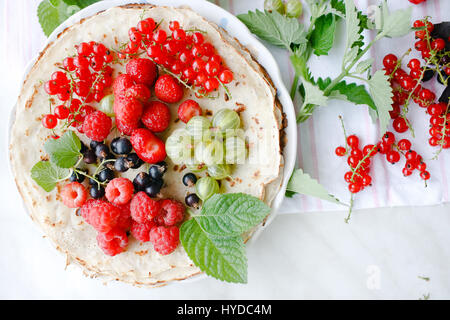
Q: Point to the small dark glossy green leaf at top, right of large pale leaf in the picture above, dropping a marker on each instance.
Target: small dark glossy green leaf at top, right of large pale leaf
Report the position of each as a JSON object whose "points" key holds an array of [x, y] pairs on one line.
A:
{"points": [[322, 38]]}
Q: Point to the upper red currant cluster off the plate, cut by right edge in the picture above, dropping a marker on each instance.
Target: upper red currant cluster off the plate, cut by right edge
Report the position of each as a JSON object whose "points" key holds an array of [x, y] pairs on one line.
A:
{"points": [[407, 87]]}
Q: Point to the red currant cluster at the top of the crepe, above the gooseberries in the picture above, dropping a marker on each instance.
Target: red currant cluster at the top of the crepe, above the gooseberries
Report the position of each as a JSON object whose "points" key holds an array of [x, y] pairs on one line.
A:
{"points": [[184, 53]]}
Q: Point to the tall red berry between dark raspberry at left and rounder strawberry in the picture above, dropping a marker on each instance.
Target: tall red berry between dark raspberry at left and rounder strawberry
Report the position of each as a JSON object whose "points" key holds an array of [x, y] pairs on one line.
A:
{"points": [[128, 114]]}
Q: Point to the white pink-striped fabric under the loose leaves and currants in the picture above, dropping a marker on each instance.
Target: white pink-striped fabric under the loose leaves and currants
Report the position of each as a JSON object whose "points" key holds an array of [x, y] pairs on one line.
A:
{"points": [[21, 39]]}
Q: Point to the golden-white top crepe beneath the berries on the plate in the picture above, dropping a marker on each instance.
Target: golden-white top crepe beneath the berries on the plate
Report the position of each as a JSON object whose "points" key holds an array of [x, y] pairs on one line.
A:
{"points": [[252, 93]]}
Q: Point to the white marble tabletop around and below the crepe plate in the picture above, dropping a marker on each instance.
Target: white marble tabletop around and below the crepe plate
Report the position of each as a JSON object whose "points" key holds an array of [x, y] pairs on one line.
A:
{"points": [[380, 255]]}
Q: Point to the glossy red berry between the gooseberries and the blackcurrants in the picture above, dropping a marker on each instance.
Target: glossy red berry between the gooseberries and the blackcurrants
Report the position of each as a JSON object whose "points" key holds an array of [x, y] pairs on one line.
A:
{"points": [[148, 147]]}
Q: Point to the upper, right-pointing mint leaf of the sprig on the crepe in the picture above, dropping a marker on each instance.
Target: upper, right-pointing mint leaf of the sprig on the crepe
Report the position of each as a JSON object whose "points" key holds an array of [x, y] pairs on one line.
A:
{"points": [[231, 214]]}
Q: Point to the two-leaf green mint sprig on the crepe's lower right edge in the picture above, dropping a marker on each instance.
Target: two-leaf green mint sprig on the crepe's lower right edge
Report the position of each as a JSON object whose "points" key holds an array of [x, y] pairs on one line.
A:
{"points": [[213, 239]]}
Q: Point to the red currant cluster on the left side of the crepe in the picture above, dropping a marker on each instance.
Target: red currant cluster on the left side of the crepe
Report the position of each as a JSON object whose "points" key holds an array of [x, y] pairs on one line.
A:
{"points": [[85, 75]]}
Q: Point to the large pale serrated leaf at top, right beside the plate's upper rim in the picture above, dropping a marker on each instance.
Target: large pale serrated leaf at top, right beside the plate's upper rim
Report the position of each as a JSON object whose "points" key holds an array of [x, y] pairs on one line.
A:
{"points": [[274, 28]]}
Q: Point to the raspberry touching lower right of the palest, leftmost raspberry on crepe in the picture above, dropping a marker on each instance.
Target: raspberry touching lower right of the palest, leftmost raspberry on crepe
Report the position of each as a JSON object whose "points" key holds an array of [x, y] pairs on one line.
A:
{"points": [[102, 215]]}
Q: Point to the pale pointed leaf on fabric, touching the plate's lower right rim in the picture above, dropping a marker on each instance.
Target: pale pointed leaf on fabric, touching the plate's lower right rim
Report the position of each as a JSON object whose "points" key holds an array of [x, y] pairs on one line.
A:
{"points": [[302, 183]]}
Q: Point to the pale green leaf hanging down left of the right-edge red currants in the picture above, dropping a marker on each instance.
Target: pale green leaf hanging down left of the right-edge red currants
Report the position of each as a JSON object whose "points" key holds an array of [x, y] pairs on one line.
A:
{"points": [[381, 91]]}
